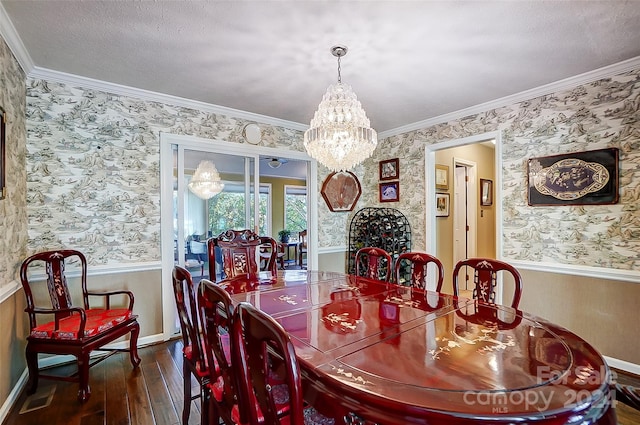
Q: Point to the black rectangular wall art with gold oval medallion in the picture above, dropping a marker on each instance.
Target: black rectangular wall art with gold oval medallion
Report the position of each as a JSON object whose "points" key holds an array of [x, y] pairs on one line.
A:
{"points": [[579, 178]]}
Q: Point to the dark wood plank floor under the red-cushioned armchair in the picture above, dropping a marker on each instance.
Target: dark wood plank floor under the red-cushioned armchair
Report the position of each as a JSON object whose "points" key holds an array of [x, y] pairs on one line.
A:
{"points": [[149, 395]]}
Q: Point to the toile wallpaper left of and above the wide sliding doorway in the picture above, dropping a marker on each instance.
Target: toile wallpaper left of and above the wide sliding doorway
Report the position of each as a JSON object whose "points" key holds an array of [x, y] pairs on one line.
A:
{"points": [[93, 173]]}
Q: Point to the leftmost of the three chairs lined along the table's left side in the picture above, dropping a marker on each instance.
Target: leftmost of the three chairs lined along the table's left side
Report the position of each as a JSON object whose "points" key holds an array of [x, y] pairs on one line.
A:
{"points": [[194, 359]]}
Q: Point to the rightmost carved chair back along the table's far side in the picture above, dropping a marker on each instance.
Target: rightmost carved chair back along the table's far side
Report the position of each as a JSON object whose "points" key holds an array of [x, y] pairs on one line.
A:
{"points": [[485, 274]]}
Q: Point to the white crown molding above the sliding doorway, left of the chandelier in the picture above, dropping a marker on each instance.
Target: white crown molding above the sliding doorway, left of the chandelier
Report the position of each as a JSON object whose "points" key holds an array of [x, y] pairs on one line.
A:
{"points": [[151, 96]]}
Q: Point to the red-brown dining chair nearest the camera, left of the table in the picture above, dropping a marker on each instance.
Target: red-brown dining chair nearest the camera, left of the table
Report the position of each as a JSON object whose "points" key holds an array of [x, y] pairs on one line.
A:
{"points": [[261, 344]]}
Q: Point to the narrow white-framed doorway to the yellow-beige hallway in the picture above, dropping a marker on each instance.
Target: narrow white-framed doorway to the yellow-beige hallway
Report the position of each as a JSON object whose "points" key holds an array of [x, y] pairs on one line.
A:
{"points": [[468, 159]]}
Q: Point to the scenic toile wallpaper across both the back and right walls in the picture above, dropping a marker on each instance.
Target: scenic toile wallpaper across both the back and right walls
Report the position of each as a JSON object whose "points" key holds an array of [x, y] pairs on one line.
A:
{"points": [[93, 171]]}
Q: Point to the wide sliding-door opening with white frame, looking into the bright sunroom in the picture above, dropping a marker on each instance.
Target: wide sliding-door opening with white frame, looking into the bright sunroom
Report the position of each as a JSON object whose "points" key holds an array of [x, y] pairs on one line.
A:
{"points": [[185, 218]]}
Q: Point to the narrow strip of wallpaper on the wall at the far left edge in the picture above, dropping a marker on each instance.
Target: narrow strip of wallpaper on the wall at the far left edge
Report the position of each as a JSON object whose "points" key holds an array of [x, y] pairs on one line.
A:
{"points": [[13, 216]]}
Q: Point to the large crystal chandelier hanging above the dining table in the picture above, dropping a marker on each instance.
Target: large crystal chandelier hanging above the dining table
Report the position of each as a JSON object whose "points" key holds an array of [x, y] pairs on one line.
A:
{"points": [[340, 136]]}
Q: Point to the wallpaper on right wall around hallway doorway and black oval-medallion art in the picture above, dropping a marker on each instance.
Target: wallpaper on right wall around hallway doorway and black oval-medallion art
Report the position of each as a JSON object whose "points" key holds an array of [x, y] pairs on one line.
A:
{"points": [[602, 114]]}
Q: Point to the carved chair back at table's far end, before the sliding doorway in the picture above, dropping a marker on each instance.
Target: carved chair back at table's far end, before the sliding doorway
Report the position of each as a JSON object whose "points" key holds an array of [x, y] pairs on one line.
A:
{"points": [[239, 250]]}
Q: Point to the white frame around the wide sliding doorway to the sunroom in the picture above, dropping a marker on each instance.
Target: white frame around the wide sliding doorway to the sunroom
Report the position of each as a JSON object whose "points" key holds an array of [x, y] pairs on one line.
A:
{"points": [[166, 203]]}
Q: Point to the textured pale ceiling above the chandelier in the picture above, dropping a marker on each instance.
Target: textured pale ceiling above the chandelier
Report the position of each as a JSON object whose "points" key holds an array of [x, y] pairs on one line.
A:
{"points": [[408, 60]]}
